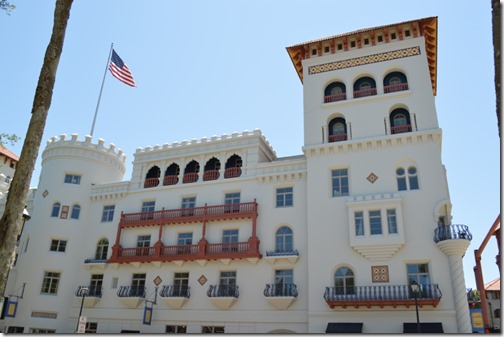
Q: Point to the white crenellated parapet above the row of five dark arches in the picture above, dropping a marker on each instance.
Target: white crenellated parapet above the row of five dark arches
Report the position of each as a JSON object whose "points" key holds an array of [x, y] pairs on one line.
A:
{"points": [[209, 141]]}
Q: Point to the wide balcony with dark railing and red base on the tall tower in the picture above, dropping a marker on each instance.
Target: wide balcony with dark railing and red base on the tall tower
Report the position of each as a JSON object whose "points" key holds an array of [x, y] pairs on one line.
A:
{"points": [[381, 296]]}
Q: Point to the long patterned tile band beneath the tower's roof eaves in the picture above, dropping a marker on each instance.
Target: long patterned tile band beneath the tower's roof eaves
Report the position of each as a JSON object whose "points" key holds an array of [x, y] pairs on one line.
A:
{"points": [[359, 61]]}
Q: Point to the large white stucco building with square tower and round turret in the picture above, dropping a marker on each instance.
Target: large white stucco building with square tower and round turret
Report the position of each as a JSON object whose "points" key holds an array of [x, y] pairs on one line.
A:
{"points": [[224, 236]]}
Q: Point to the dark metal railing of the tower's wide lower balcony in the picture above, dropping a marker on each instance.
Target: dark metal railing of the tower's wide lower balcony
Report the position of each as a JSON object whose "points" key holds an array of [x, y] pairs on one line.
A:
{"points": [[380, 293]]}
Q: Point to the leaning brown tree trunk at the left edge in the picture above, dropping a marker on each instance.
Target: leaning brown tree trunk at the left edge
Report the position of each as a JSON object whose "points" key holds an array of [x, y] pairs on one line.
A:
{"points": [[11, 221]]}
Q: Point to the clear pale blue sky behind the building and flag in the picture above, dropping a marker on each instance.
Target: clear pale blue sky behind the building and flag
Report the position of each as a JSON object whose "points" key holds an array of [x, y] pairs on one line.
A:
{"points": [[206, 68]]}
